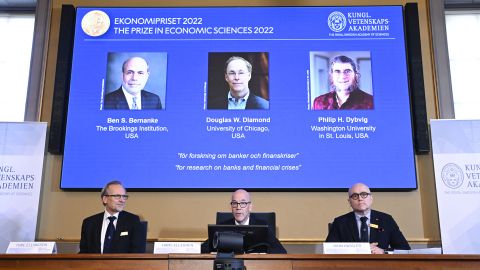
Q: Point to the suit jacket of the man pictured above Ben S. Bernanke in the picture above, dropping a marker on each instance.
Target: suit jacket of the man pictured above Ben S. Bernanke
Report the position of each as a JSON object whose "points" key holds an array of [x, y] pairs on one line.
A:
{"points": [[116, 100]]}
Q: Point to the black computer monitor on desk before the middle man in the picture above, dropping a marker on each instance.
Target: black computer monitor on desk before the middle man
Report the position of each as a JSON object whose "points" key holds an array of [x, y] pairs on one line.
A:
{"points": [[255, 237]]}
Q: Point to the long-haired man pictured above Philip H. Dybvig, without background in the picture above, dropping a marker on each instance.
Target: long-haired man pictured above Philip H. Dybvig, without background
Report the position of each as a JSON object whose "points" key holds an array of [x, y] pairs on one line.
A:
{"points": [[345, 93]]}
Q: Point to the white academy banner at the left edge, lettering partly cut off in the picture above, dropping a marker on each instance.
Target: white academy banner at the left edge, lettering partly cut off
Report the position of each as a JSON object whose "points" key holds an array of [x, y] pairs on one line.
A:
{"points": [[22, 149]]}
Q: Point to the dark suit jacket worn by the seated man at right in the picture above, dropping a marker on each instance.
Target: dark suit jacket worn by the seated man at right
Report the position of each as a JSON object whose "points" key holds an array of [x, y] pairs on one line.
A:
{"points": [[345, 229]]}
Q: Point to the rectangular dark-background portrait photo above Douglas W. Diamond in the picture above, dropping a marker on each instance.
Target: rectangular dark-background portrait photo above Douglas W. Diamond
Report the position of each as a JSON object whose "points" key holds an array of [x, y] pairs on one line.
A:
{"points": [[238, 81]]}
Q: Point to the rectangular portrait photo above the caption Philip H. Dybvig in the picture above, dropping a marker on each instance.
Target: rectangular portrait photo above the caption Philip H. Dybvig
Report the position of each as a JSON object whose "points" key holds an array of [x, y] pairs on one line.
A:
{"points": [[336, 83]]}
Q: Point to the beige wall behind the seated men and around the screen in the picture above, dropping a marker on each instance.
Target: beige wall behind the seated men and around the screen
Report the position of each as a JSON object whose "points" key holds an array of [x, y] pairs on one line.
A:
{"points": [[301, 216]]}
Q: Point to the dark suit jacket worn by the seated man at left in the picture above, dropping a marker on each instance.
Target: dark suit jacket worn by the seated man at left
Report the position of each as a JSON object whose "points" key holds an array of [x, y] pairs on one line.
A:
{"points": [[130, 235]]}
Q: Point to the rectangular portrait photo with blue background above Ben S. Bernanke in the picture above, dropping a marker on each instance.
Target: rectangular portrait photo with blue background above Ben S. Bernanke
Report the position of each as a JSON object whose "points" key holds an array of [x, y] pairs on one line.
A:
{"points": [[129, 75]]}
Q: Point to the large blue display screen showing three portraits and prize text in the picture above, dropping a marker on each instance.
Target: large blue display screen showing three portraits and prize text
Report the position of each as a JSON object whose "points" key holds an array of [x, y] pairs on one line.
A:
{"points": [[285, 98]]}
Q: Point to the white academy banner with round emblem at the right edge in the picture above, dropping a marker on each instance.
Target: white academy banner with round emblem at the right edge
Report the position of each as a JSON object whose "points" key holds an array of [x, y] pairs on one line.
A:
{"points": [[456, 156]]}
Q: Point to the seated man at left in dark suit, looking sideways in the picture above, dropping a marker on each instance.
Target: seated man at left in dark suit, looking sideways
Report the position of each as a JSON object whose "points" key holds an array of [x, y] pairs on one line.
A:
{"points": [[114, 230]]}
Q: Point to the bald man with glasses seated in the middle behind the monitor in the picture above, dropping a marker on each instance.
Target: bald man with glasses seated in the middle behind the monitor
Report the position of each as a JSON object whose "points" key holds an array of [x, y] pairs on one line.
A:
{"points": [[241, 207]]}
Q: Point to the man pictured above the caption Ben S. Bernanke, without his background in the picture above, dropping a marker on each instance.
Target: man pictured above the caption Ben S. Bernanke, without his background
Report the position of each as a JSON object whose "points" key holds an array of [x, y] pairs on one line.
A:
{"points": [[132, 95]]}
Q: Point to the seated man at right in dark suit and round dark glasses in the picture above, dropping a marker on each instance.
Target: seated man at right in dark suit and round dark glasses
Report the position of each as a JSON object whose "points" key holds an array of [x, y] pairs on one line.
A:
{"points": [[366, 225]]}
